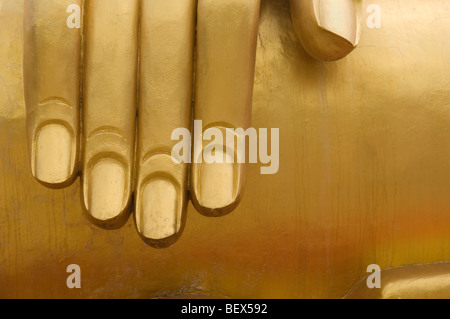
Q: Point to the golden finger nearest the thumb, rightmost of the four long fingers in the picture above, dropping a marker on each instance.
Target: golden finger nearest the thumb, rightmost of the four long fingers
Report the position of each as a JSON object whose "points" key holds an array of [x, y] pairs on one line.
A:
{"points": [[225, 63]]}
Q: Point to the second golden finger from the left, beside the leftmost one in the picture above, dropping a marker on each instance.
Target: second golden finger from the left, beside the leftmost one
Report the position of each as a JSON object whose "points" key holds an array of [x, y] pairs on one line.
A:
{"points": [[109, 109]]}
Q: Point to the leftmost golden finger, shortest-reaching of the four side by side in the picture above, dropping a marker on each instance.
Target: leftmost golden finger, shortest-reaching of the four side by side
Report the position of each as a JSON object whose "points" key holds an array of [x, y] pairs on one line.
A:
{"points": [[52, 86]]}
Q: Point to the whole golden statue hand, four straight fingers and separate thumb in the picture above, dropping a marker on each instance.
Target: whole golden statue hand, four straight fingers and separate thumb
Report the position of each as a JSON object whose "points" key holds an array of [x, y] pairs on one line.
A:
{"points": [[85, 86]]}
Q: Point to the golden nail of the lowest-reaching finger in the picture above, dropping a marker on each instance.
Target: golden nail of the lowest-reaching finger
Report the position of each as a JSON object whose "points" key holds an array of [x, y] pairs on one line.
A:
{"points": [[159, 216]]}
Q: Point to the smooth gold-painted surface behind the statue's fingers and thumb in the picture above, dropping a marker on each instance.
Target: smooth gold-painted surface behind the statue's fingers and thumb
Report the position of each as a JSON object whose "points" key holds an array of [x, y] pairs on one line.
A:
{"points": [[364, 176]]}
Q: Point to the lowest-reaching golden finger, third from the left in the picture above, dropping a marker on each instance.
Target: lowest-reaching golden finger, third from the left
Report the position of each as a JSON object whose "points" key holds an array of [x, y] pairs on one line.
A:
{"points": [[165, 103]]}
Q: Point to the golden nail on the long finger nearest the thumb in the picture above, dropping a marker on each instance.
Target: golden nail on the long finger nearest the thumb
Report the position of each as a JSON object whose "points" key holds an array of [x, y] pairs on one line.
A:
{"points": [[217, 184]]}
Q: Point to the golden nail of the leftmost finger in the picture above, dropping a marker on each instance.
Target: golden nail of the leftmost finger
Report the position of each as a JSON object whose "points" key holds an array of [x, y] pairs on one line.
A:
{"points": [[53, 154]]}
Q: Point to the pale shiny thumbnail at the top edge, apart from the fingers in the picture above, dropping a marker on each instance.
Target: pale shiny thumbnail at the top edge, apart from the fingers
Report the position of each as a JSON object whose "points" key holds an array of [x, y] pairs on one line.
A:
{"points": [[338, 17]]}
